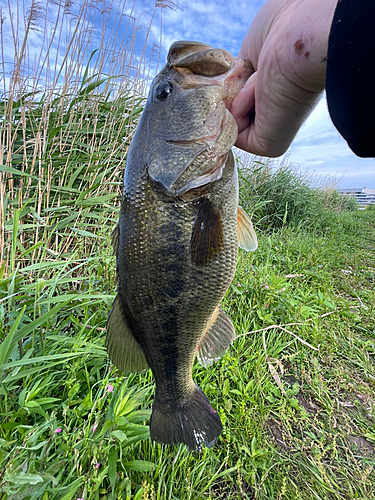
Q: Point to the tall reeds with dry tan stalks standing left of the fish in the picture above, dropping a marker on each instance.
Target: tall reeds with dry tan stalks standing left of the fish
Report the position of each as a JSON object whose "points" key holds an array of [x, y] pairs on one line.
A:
{"points": [[73, 90]]}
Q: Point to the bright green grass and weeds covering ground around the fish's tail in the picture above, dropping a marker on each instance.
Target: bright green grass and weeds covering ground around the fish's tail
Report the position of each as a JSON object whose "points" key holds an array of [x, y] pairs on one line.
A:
{"points": [[298, 422]]}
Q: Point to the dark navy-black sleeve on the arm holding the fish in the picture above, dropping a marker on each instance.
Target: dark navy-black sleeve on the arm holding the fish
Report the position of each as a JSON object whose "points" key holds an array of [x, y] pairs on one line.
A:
{"points": [[350, 80]]}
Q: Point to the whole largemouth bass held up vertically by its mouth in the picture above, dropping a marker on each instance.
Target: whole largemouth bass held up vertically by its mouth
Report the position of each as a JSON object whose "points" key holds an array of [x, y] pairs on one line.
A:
{"points": [[177, 240]]}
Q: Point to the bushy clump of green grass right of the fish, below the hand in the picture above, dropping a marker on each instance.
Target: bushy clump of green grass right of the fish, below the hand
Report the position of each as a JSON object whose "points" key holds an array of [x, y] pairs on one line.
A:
{"points": [[284, 196]]}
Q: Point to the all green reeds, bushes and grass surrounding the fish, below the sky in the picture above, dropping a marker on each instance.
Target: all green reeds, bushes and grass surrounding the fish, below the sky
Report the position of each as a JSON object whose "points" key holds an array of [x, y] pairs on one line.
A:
{"points": [[296, 390]]}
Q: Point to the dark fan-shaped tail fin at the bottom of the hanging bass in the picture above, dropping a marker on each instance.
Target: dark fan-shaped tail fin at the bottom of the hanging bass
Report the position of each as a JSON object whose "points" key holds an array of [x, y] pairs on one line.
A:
{"points": [[194, 423]]}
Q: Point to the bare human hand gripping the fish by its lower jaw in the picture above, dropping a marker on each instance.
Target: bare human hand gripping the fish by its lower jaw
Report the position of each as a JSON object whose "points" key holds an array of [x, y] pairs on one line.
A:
{"points": [[287, 46]]}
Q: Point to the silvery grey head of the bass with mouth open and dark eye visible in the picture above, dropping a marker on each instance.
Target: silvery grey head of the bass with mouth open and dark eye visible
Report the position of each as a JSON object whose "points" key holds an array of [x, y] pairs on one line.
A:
{"points": [[189, 127]]}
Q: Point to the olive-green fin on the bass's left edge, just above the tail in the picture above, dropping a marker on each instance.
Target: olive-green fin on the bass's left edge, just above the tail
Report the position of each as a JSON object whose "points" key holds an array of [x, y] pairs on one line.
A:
{"points": [[123, 349]]}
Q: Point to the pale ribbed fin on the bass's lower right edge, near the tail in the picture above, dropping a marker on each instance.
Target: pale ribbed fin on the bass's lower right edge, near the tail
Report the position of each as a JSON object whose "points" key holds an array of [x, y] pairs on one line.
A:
{"points": [[218, 337]]}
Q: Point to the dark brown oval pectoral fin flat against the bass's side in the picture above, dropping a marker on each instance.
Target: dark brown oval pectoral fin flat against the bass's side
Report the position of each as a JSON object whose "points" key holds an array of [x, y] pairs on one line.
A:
{"points": [[207, 238]]}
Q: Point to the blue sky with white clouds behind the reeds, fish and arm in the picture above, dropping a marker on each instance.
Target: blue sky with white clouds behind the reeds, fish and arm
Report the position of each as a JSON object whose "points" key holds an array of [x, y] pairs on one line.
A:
{"points": [[220, 23]]}
